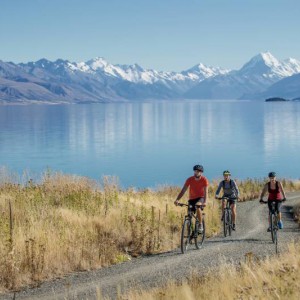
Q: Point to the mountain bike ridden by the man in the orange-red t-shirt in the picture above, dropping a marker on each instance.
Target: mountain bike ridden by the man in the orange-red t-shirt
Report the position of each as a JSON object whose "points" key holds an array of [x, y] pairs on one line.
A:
{"points": [[190, 232]]}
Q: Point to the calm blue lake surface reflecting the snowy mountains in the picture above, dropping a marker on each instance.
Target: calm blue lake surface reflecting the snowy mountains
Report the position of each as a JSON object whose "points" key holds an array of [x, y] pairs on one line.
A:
{"points": [[151, 143]]}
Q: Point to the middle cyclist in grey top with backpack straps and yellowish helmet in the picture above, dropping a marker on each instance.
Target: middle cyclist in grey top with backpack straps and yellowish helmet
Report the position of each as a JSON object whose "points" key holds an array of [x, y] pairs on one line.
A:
{"points": [[231, 191]]}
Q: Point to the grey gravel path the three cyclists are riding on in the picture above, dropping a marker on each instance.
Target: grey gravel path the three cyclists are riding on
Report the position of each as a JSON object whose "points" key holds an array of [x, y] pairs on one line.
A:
{"points": [[151, 271]]}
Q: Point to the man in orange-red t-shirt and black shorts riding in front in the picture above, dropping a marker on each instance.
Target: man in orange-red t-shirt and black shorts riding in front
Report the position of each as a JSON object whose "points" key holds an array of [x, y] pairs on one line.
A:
{"points": [[198, 191]]}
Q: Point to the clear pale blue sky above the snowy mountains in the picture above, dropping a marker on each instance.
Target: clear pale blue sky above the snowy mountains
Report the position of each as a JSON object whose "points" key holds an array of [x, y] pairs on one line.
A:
{"points": [[164, 34]]}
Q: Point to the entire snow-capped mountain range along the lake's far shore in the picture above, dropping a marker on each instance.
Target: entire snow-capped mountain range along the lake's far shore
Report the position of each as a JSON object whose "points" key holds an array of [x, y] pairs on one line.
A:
{"points": [[97, 80]]}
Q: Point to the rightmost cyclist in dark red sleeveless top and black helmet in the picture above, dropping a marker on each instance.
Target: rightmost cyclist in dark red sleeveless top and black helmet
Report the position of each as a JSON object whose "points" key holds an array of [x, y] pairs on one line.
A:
{"points": [[276, 193]]}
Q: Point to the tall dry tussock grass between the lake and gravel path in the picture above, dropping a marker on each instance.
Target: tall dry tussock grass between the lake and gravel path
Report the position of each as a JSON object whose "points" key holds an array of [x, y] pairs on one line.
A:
{"points": [[62, 223]]}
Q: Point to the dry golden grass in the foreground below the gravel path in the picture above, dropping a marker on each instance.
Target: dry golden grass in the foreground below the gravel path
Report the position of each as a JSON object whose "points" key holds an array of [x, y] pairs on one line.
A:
{"points": [[274, 278]]}
